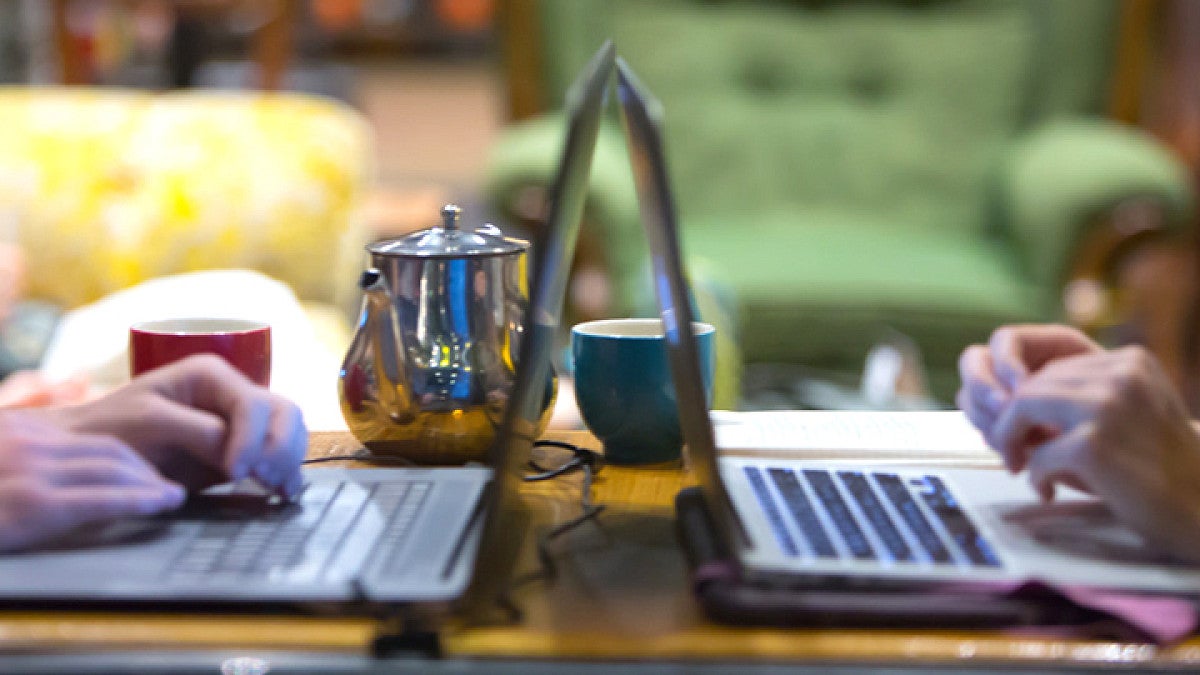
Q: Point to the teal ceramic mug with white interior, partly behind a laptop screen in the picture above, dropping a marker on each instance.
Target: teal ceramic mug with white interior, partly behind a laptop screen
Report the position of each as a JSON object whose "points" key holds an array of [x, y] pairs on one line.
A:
{"points": [[625, 390]]}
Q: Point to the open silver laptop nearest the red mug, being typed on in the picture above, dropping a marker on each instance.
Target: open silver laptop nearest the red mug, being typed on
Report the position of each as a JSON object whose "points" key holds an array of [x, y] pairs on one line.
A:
{"points": [[356, 536]]}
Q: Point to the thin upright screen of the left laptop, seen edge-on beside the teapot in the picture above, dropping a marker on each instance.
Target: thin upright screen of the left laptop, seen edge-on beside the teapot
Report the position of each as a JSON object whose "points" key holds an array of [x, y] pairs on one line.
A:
{"points": [[554, 253]]}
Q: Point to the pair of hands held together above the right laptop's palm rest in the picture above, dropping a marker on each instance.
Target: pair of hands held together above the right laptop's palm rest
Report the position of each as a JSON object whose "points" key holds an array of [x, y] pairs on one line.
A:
{"points": [[1106, 422]]}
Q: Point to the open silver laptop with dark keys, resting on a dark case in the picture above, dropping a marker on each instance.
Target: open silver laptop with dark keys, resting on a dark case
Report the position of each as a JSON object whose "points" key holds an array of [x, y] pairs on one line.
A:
{"points": [[829, 524]]}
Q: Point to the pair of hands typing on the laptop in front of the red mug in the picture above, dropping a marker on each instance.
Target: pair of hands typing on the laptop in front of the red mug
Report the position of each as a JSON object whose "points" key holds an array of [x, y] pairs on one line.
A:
{"points": [[184, 427]]}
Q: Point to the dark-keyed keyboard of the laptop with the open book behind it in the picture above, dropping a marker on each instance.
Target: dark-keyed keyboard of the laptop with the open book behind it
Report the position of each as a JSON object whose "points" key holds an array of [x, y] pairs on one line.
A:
{"points": [[869, 516]]}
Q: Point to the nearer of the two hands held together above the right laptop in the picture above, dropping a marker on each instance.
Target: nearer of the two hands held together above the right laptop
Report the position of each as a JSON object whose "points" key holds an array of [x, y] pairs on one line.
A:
{"points": [[1119, 432]]}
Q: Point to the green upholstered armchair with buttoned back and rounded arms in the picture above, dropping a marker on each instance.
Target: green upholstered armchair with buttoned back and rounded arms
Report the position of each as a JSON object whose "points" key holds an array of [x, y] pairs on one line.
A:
{"points": [[847, 169]]}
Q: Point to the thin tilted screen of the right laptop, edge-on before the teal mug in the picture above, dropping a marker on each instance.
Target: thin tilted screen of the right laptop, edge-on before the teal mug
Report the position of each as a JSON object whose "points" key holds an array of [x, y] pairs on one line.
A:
{"points": [[641, 117]]}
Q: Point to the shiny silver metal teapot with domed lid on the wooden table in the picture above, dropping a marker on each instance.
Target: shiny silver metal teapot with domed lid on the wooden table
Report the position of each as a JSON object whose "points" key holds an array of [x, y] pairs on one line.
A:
{"points": [[433, 361]]}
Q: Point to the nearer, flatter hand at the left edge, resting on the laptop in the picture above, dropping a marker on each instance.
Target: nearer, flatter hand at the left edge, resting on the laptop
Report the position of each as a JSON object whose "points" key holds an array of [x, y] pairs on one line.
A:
{"points": [[53, 481]]}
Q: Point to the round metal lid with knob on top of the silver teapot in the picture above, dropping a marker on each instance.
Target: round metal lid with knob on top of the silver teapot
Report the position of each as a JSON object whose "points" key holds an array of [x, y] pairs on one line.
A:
{"points": [[452, 242]]}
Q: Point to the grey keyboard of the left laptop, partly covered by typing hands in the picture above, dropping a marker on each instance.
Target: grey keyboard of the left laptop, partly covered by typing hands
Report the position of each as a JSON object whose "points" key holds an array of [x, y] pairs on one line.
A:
{"points": [[307, 543]]}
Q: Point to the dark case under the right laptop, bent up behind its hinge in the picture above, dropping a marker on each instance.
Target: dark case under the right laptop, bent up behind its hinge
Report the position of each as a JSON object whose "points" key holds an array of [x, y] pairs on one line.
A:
{"points": [[728, 599]]}
